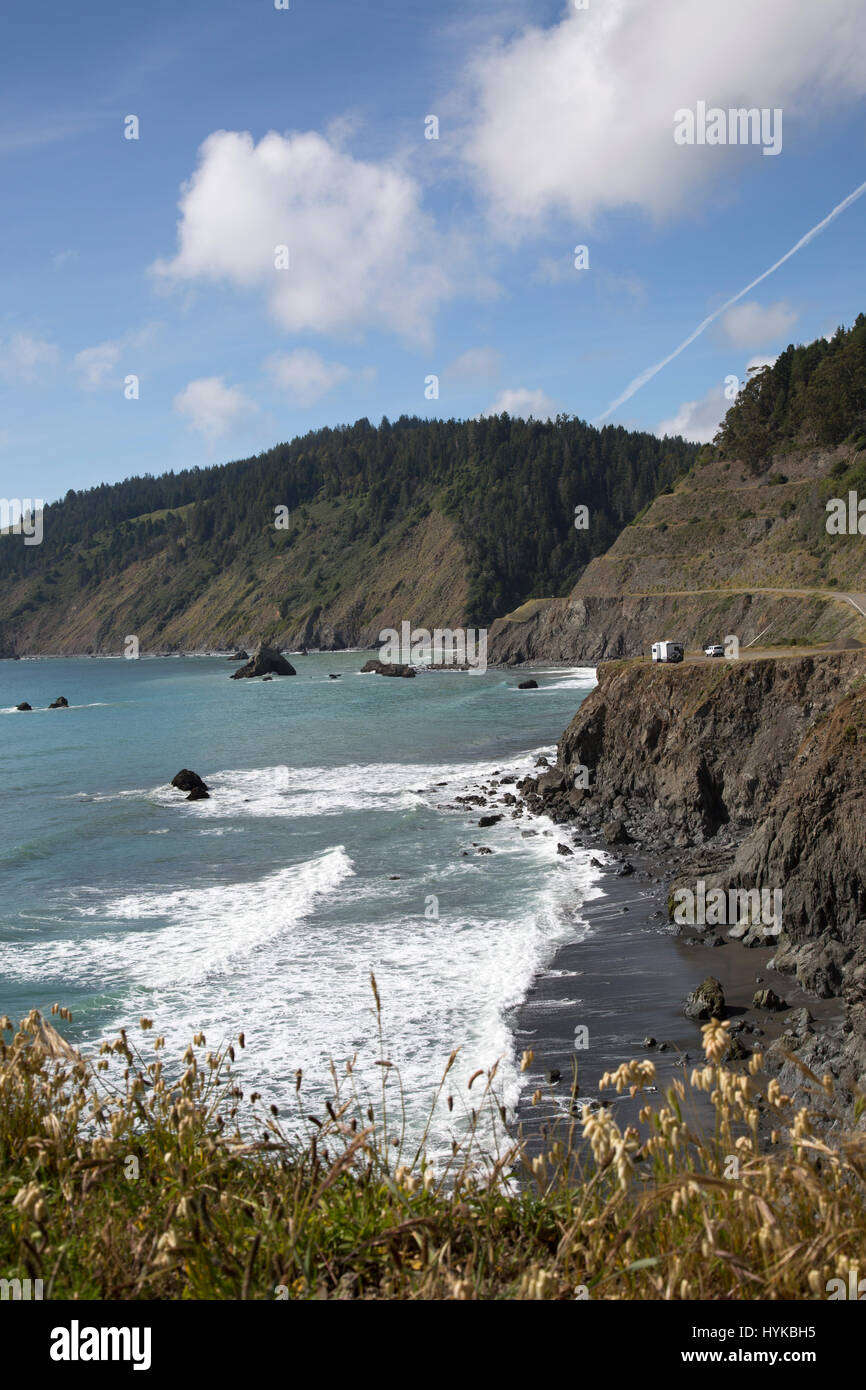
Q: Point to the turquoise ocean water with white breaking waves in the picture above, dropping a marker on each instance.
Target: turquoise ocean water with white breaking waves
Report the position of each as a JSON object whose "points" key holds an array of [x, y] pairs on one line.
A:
{"points": [[330, 849]]}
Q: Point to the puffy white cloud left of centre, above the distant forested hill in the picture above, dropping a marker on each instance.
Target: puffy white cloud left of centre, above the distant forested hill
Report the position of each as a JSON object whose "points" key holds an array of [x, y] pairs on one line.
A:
{"points": [[362, 252]]}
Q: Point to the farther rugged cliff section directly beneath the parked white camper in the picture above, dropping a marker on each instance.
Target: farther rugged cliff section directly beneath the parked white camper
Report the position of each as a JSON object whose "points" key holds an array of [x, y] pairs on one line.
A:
{"points": [[694, 754]]}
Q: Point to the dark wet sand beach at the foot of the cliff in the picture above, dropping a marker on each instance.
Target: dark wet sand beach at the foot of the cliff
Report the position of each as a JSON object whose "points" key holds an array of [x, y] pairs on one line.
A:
{"points": [[629, 981]]}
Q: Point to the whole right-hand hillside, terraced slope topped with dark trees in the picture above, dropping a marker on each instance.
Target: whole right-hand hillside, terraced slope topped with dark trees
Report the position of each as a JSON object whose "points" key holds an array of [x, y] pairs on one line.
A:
{"points": [[735, 547]]}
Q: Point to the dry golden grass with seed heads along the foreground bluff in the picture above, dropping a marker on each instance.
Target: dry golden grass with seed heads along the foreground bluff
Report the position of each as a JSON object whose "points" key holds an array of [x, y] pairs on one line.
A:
{"points": [[127, 1178]]}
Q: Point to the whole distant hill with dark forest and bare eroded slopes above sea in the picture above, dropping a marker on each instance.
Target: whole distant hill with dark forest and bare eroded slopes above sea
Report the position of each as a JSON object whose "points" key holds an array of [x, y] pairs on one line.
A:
{"points": [[436, 522]]}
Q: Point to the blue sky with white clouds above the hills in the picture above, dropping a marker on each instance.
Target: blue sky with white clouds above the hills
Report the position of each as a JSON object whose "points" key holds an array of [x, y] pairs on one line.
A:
{"points": [[408, 258]]}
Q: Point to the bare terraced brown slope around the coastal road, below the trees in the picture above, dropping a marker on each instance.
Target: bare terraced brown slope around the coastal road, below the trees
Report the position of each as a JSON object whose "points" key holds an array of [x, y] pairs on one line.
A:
{"points": [[703, 561]]}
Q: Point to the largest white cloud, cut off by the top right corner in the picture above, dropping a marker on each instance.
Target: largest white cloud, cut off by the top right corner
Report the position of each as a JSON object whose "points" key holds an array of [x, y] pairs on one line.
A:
{"points": [[579, 119]]}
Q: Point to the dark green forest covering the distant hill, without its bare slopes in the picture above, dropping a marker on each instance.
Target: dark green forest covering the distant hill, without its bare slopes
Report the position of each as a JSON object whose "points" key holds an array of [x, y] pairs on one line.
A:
{"points": [[508, 487]]}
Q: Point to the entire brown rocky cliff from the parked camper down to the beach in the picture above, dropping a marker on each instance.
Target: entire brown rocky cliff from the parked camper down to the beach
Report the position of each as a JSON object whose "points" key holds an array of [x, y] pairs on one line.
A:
{"points": [[754, 775]]}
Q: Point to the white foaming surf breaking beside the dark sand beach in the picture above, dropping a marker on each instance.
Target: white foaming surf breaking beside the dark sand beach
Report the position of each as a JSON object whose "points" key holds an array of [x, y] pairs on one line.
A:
{"points": [[287, 957]]}
